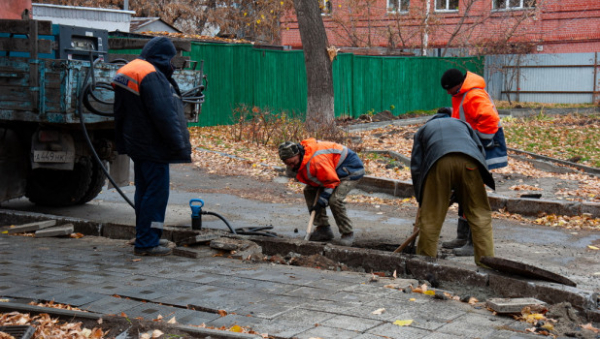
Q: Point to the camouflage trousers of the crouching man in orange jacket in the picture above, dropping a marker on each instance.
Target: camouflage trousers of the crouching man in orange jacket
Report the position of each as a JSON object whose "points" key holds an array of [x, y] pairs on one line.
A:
{"points": [[337, 204]]}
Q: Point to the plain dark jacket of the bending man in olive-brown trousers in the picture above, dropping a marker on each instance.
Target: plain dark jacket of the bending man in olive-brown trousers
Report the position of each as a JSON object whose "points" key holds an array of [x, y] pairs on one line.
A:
{"points": [[439, 136]]}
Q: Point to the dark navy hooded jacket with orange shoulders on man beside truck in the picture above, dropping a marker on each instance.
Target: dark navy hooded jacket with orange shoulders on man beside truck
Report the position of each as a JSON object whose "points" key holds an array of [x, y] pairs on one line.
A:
{"points": [[149, 119]]}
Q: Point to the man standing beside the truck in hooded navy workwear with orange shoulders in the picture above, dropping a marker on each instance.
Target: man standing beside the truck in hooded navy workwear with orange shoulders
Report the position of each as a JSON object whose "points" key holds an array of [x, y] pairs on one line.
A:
{"points": [[151, 128]]}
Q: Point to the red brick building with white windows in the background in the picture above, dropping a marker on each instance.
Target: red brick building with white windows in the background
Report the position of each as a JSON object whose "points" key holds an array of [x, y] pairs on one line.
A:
{"points": [[463, 26]]}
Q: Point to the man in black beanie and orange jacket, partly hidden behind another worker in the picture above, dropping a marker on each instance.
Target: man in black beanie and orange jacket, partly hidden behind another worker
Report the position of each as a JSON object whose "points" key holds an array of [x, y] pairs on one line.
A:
{"points": [[472, 104]]}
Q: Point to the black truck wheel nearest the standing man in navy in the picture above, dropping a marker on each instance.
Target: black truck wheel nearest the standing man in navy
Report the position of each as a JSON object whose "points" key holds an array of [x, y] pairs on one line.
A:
{"points": [[58, 188]]}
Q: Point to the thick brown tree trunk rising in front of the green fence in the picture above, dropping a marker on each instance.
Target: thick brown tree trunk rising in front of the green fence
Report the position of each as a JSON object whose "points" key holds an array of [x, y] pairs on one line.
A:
{"points": [[319, 110]]}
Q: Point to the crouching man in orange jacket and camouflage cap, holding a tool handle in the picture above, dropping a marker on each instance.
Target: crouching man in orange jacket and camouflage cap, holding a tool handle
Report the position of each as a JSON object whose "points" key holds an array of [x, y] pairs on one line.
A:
{"points": [[331, 169]]}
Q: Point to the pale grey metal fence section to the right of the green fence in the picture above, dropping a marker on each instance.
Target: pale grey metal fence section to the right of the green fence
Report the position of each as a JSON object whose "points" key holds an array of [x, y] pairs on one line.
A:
{"points": [[545, 78]]}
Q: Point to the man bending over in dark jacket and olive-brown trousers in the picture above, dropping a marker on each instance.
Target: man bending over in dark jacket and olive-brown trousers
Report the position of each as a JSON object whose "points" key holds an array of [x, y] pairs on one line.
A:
{"points": [[448, 156]]}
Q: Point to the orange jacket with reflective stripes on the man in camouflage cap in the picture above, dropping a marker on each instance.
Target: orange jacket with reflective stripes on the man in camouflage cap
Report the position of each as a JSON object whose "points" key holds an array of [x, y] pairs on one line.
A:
{"points": [[325, 164]]}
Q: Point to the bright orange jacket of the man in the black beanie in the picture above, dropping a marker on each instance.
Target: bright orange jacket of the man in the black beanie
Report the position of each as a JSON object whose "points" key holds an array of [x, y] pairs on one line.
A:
{"points": [[476, 106]]}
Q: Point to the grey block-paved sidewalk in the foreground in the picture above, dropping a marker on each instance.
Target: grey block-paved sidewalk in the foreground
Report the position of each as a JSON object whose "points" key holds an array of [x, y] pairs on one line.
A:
{"points": [[282, 301]]}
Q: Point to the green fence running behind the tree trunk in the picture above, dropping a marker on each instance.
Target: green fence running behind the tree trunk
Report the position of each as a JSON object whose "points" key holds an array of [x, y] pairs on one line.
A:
{"points": [[239, 74]]}
